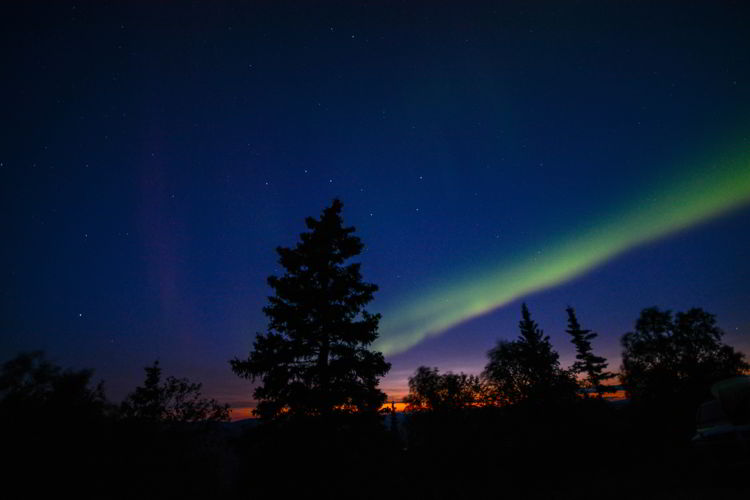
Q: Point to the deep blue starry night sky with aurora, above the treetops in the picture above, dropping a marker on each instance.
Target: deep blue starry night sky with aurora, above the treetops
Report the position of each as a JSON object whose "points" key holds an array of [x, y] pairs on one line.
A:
{"points": [[153, 156]]}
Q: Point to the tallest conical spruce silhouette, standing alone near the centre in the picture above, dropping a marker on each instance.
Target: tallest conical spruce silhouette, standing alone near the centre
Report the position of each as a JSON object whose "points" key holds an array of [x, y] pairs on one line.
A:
{"points": [[315, 360]]}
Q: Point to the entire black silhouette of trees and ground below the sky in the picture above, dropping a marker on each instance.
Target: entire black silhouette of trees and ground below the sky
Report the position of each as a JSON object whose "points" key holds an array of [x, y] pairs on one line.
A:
{"points": [[525, 427]]}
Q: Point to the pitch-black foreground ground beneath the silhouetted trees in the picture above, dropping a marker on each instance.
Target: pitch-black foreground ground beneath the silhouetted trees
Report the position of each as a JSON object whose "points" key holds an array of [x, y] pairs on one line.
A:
{"points": [[589, 450]]}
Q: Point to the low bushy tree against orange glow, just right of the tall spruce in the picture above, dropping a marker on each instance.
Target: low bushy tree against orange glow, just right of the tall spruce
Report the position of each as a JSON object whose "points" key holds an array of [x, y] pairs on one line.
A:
{"points": [[429, 390]]}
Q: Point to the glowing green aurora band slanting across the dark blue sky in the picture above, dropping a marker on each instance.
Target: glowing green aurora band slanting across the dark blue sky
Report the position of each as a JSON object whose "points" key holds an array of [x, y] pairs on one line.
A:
{"points": [[696, 196]]}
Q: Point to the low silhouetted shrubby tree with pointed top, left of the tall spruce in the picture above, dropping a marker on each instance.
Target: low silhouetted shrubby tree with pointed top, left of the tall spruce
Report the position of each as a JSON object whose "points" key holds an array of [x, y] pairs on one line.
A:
{"points": [[175, 401]]}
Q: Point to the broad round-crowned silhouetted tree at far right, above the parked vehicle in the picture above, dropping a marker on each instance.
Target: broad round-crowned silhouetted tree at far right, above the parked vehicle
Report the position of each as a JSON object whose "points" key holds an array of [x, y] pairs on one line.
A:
{"points": [[668, 358]]}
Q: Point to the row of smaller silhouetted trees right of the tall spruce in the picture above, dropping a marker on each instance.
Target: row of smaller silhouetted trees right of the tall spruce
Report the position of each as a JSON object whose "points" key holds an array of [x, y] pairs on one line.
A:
{"points": [[667, 360]]}
